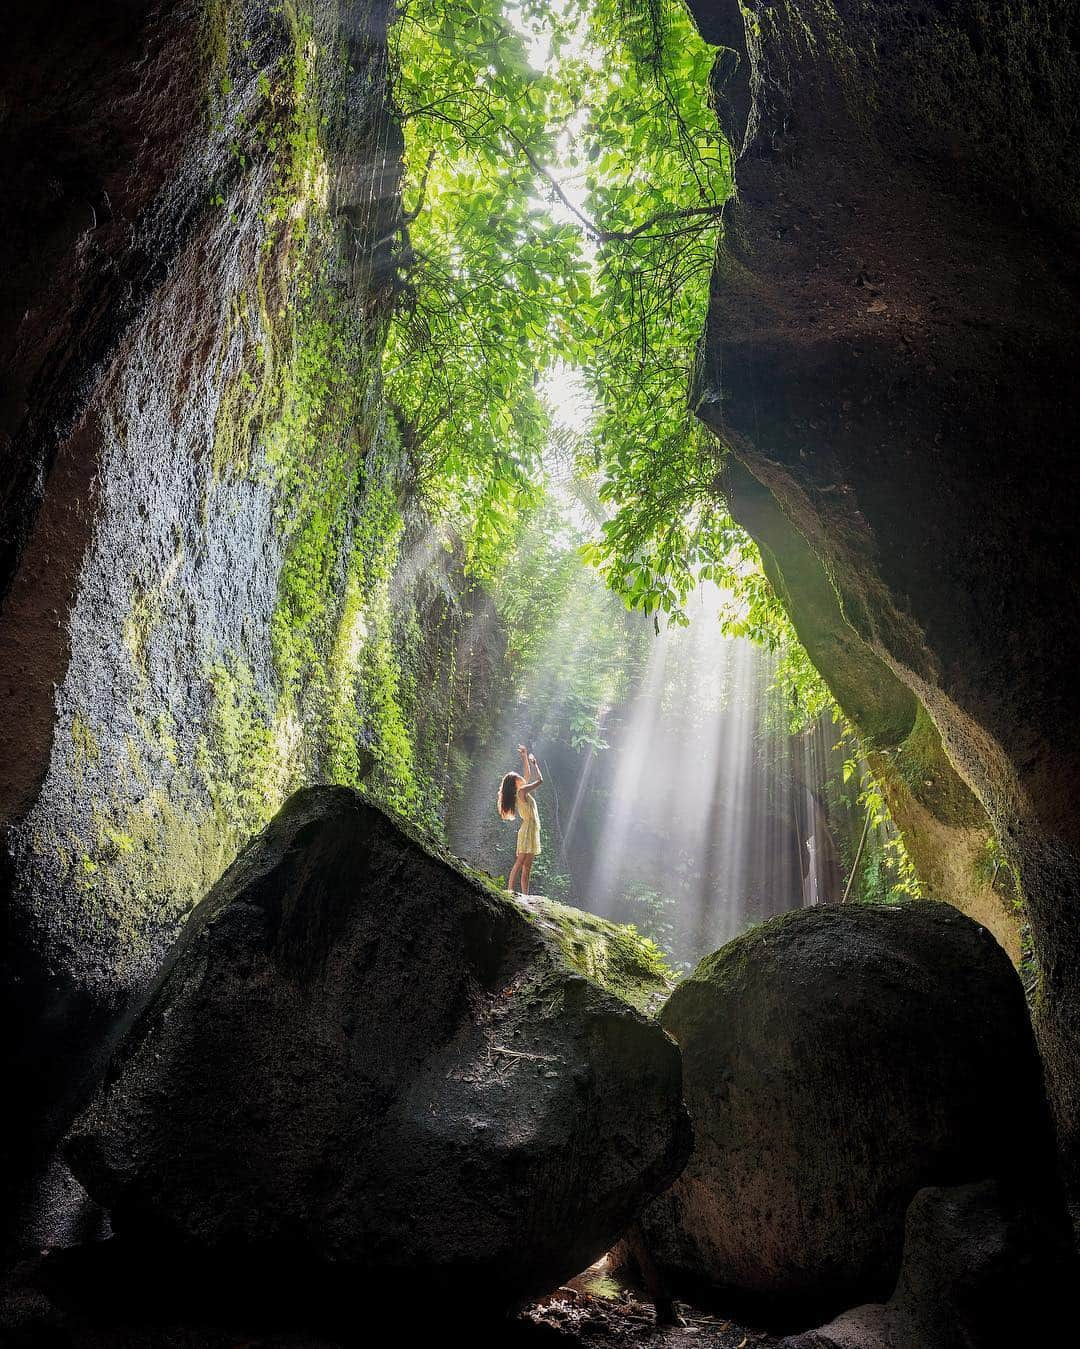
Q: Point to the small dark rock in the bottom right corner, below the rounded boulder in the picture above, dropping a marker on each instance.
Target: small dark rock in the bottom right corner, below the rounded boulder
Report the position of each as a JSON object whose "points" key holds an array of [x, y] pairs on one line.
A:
{"points": [[980, 1271]]}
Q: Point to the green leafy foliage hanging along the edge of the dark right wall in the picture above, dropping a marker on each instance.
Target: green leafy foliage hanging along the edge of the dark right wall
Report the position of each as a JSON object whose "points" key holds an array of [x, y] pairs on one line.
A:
{"points": [[657, 176]]}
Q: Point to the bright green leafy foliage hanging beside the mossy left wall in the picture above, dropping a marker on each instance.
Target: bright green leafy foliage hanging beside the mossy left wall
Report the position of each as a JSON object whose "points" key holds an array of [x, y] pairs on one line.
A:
{"points": [[489, 276]]}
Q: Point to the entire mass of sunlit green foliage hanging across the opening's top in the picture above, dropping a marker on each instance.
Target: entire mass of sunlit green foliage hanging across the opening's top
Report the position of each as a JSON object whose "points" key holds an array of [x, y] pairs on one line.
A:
{"points": [[571, 215]]}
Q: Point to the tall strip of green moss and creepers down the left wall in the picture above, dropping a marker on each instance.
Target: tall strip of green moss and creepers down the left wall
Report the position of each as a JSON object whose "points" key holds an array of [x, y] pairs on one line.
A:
{"points": [[309, 388]]}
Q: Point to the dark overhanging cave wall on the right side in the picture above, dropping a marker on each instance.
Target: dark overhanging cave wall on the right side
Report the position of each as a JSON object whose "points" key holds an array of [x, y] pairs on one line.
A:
{"points": [[891, 353]]}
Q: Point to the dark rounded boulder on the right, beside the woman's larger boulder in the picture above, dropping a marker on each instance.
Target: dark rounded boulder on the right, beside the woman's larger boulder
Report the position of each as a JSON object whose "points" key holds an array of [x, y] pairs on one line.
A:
{"points": [[835, 1062]]}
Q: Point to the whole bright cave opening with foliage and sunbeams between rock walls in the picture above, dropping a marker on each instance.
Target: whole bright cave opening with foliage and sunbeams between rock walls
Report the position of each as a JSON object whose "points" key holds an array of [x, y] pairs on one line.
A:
{"points": [[702, 786]]}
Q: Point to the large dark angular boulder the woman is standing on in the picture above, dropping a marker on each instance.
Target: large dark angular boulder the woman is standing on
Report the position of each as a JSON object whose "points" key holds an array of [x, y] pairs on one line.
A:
{"points": [[361, 1054]]}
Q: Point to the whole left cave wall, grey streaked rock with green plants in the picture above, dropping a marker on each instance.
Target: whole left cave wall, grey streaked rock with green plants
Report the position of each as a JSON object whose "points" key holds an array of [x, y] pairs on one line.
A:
{"points": [[202, 509]]}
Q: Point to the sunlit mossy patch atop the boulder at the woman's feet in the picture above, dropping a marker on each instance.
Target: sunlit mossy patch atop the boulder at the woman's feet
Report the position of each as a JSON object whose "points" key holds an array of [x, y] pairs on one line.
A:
{"points": [[616, 957]]}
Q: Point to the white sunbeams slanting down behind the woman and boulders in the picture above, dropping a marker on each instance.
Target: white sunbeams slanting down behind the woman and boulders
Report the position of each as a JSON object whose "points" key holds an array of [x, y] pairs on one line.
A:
{"points": [[688, 809]]}
